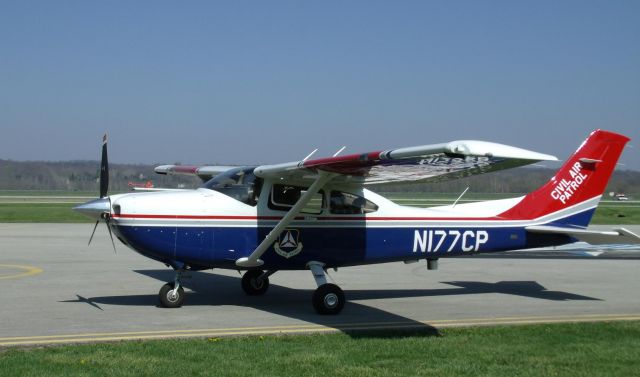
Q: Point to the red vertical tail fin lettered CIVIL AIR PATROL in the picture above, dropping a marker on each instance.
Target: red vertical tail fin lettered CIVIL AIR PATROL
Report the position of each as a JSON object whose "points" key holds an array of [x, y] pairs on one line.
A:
{"points": [[582, 178]]}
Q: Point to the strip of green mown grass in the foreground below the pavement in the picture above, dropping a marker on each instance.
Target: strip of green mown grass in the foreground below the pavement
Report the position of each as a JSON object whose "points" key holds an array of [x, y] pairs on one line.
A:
{"points": [[586, 349]]}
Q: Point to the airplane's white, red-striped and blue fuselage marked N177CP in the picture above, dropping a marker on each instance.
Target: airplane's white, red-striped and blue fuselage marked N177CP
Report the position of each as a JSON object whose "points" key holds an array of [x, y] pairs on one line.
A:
{"points": [[205, 228]]}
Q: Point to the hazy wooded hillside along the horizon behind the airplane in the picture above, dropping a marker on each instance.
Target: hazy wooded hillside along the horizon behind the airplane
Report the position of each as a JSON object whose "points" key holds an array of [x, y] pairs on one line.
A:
{"points": [[82, 176]]}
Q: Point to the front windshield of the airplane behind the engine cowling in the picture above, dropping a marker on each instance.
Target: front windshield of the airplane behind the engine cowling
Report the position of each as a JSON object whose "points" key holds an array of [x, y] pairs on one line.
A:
{"points": [[240, 184]]}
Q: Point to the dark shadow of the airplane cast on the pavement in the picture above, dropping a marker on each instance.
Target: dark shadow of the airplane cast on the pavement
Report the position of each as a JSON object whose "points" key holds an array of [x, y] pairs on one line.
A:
{"points": [[216, 290]]}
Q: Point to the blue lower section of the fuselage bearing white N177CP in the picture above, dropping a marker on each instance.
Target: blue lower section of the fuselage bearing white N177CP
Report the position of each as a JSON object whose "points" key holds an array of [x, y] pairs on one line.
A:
{"points": [[219, 247]]}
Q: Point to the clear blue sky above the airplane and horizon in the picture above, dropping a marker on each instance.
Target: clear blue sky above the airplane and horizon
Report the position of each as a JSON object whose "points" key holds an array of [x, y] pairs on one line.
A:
{"points": [[267, 82]]}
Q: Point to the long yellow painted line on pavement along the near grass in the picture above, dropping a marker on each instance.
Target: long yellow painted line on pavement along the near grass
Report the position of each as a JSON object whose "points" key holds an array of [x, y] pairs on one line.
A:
{"points": [[304, 329]]}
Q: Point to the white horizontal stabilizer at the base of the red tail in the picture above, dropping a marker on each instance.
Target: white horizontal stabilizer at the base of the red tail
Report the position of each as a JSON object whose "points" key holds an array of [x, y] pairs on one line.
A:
{"points": [[594, 237]]}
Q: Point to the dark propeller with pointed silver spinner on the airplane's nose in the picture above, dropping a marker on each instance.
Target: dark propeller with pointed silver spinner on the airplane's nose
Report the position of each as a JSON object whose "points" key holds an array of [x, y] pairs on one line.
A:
{"points": [[100, 209]]}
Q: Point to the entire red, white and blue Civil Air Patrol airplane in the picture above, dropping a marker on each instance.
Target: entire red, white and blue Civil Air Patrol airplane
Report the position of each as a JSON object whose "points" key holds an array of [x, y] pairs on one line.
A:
{"points": [[317, 214]]}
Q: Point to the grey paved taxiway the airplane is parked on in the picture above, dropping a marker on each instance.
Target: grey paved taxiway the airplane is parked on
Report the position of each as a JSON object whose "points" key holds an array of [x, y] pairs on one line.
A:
{"points": [[55, 289]]}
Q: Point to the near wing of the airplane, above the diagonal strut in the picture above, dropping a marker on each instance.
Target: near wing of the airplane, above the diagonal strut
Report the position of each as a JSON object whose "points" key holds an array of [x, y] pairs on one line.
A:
{"points": [[427, 163]]}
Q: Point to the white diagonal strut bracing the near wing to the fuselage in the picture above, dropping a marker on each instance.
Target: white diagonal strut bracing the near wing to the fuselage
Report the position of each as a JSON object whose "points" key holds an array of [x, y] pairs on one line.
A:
{"points": [[254, 260]]}
